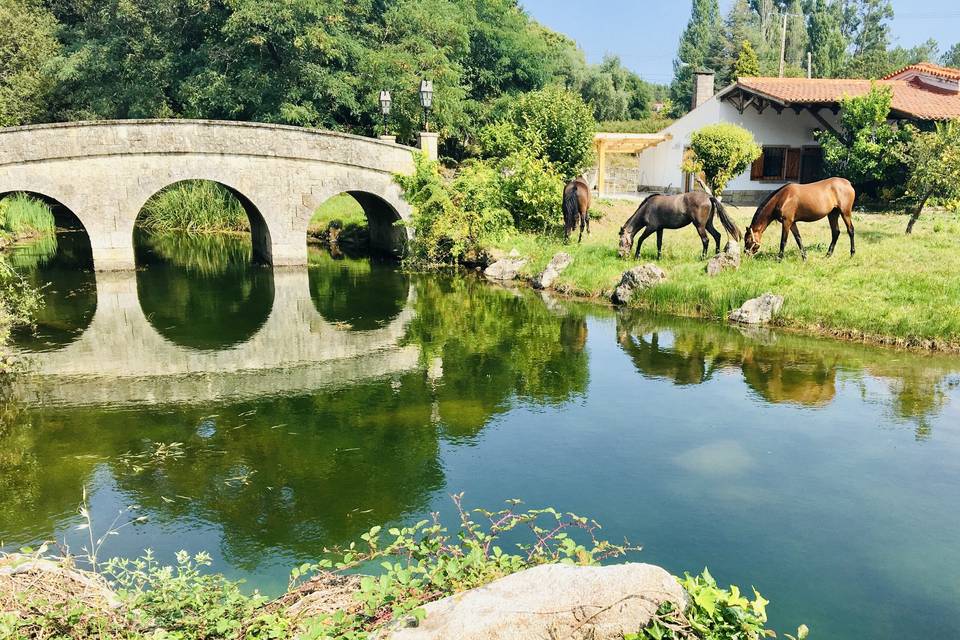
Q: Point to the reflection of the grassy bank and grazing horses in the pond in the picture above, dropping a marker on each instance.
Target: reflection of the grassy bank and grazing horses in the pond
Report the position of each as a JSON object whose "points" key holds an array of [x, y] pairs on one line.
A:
{"points": [[780, 368]]}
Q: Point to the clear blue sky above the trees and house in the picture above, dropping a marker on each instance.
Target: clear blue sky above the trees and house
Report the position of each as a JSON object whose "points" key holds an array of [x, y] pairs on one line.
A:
{"points": [[644, 33]]}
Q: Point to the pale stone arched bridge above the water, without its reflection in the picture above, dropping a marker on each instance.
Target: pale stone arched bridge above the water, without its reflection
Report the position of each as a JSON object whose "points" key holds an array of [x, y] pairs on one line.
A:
{"points": [[104, 172]]}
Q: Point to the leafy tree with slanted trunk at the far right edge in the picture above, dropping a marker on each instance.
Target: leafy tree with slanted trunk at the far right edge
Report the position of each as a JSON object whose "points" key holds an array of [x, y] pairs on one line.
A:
{"points": [[934, 161]]}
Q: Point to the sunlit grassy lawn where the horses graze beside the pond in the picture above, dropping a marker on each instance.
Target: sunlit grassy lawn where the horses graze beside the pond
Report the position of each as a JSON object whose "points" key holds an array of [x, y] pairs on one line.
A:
{"points": [[902, 290]]}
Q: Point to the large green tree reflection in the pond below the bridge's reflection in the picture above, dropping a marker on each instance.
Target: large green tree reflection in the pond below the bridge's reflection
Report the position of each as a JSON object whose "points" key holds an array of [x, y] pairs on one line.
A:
{"points": [[300, 472]]}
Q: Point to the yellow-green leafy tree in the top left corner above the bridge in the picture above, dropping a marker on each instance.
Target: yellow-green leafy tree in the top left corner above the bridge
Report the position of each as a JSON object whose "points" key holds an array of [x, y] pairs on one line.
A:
{"points": [[27, 44]]}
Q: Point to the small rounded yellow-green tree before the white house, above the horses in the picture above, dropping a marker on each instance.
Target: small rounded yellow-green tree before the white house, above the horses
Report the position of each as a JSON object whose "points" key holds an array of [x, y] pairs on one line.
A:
{"points": [[721, 152]]}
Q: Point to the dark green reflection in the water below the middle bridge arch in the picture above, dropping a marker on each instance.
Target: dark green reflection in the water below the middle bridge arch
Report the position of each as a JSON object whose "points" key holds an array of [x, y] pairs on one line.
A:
{"points": [[202, 292]]}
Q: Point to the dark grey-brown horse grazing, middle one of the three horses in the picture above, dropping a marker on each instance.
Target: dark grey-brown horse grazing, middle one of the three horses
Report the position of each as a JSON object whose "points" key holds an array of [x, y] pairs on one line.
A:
{"points": [[658, 212]]}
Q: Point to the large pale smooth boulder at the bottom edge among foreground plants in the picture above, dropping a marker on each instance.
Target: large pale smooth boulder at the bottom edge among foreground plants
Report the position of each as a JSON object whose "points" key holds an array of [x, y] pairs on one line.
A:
{"points": [[551, 601]]}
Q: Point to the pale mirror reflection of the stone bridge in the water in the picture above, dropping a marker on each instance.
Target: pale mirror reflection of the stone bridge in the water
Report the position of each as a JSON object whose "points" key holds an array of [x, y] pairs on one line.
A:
{"points": [[121, 359]]}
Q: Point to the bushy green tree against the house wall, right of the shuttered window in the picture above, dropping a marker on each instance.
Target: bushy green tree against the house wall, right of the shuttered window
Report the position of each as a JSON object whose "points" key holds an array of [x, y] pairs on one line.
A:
{"points": [[865, 151]]}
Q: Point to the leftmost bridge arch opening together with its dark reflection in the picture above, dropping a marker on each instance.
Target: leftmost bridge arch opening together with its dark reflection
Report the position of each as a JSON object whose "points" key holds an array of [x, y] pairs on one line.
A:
{"points": [[56, 258]]}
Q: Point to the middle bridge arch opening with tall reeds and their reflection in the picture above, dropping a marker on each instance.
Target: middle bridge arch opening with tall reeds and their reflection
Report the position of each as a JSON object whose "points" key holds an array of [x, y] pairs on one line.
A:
{"points": [[203, 283]]}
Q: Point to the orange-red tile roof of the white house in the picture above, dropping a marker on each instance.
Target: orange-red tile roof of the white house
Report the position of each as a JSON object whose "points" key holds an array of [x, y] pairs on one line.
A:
{"points": [[911, 98]]}
